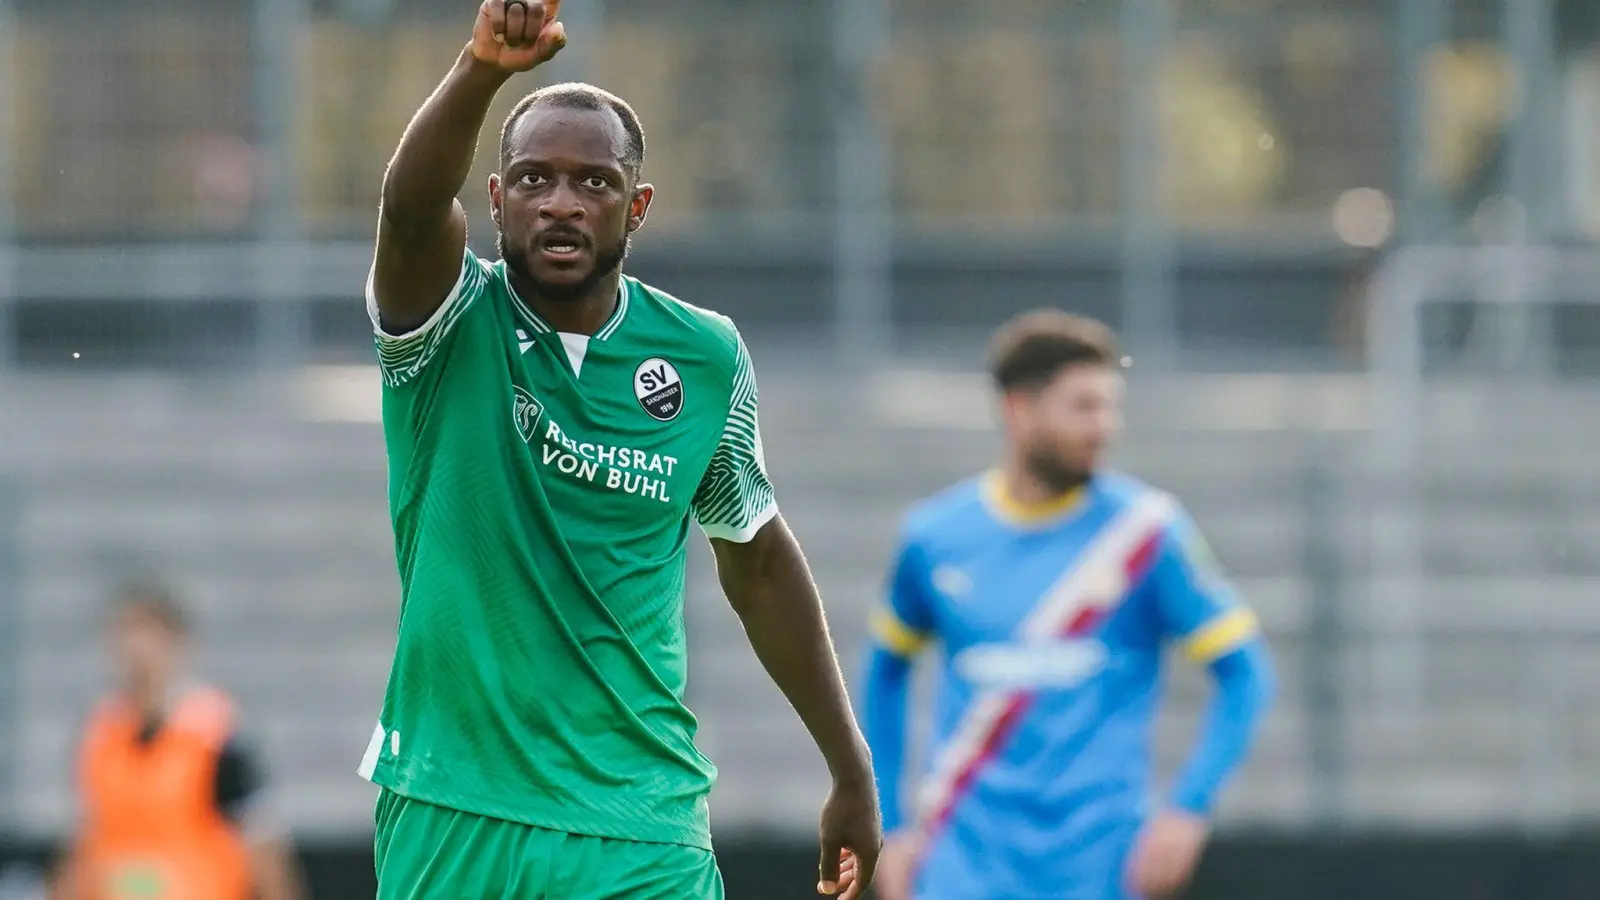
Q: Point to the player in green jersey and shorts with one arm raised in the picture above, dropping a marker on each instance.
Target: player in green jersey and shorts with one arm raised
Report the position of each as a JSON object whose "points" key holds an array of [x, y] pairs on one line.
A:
{"points": [[554, 428]]}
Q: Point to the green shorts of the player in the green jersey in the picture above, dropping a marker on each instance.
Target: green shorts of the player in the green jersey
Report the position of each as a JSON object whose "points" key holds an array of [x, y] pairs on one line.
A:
{"points": [[430, 853]]}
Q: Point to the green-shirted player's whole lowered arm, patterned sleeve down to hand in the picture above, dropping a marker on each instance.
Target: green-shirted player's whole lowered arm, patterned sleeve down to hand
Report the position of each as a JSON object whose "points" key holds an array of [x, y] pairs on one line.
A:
{"points": [[770, 587]]}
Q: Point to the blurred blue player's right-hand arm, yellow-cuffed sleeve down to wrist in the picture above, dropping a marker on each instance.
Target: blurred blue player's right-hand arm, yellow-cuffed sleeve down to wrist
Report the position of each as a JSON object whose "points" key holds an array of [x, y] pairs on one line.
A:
{"points": [[1215, 630]]}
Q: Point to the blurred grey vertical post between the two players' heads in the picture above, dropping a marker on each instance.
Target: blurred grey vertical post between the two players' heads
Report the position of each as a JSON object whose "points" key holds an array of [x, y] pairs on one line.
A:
{"points": [[863, 241]]}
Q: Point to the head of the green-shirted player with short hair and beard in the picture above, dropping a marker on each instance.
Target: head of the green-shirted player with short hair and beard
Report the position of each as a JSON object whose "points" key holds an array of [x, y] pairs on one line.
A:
{"points": [[569, 193]]}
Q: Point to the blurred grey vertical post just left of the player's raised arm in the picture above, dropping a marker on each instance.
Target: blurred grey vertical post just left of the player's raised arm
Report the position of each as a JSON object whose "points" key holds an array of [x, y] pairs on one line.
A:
{"points": [[282, 318]]}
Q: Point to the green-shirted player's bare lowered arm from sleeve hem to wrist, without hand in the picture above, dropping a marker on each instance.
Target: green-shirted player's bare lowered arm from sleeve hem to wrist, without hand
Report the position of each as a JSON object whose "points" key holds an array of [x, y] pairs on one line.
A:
{"points": [[770, 587]]}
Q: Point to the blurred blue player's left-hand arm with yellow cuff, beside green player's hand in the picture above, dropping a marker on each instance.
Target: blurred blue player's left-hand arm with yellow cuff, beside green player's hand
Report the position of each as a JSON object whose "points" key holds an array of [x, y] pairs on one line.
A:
{"points": [[900, 632]]}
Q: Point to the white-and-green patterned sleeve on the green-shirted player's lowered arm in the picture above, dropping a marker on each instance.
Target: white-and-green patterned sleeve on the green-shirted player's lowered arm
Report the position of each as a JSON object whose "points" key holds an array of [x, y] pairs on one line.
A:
{"points": [[735, 497]]}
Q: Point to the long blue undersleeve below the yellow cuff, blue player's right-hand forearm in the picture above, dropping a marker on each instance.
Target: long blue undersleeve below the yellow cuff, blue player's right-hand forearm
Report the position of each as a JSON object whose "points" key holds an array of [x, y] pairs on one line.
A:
{"points": [[1244, 693]]}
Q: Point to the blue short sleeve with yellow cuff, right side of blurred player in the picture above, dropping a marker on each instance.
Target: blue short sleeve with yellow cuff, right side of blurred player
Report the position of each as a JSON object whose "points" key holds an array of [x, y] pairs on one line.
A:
{"points": [[1198, 603]]}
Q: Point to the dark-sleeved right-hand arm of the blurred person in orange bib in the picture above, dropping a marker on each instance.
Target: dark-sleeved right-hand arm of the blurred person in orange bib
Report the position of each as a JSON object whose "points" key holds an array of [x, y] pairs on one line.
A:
{"points": [[246, 800]]}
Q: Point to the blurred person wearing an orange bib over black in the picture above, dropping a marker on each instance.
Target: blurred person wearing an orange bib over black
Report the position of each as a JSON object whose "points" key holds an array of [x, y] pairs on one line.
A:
{"points": [[174, 802]]}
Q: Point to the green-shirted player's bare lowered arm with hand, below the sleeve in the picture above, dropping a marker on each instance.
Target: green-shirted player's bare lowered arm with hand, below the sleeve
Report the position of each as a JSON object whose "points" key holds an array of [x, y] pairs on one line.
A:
{"points": [[770, 587]]}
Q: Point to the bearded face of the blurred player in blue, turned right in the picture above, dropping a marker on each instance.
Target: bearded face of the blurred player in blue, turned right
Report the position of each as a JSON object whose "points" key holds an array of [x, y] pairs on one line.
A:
{"points": [[1065, 427]]}
